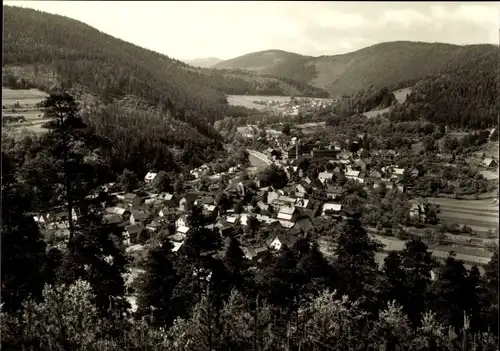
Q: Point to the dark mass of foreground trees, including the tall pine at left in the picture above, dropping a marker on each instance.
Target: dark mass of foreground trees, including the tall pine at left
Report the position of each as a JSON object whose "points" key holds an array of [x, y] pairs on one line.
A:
{"points": [[209, 296]]}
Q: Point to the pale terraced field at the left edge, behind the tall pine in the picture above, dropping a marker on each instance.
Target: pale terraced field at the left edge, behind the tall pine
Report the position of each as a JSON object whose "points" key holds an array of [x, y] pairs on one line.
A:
{"points": [[17, 103]]}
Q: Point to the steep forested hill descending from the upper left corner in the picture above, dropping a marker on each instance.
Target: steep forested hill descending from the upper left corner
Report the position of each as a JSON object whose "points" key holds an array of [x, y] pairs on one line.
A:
{"points": [[77, 53]]}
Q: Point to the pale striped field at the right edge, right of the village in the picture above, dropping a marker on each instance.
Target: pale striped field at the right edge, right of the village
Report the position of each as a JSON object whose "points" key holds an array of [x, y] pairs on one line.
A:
{"points": [[480, 215]]}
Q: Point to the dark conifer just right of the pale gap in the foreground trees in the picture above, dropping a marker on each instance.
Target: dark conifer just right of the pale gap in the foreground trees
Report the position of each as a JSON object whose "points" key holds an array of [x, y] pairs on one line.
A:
{"points": [[157, 285]]}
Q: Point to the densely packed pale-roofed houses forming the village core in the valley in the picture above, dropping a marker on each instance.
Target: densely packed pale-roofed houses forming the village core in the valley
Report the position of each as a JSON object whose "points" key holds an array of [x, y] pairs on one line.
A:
{"points": [[291, 209]]}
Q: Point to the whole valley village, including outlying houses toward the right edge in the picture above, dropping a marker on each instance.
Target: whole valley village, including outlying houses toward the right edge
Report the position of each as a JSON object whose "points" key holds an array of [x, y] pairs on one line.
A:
{"points": [[237, 202]]}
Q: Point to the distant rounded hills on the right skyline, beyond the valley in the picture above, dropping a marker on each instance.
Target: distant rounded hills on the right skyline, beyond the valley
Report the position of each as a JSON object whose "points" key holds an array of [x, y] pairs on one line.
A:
{"points": [[384, 64]]}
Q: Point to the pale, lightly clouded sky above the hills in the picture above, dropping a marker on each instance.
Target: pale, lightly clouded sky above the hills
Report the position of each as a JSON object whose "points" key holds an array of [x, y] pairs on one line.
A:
{"points": [[187, 30]]}
